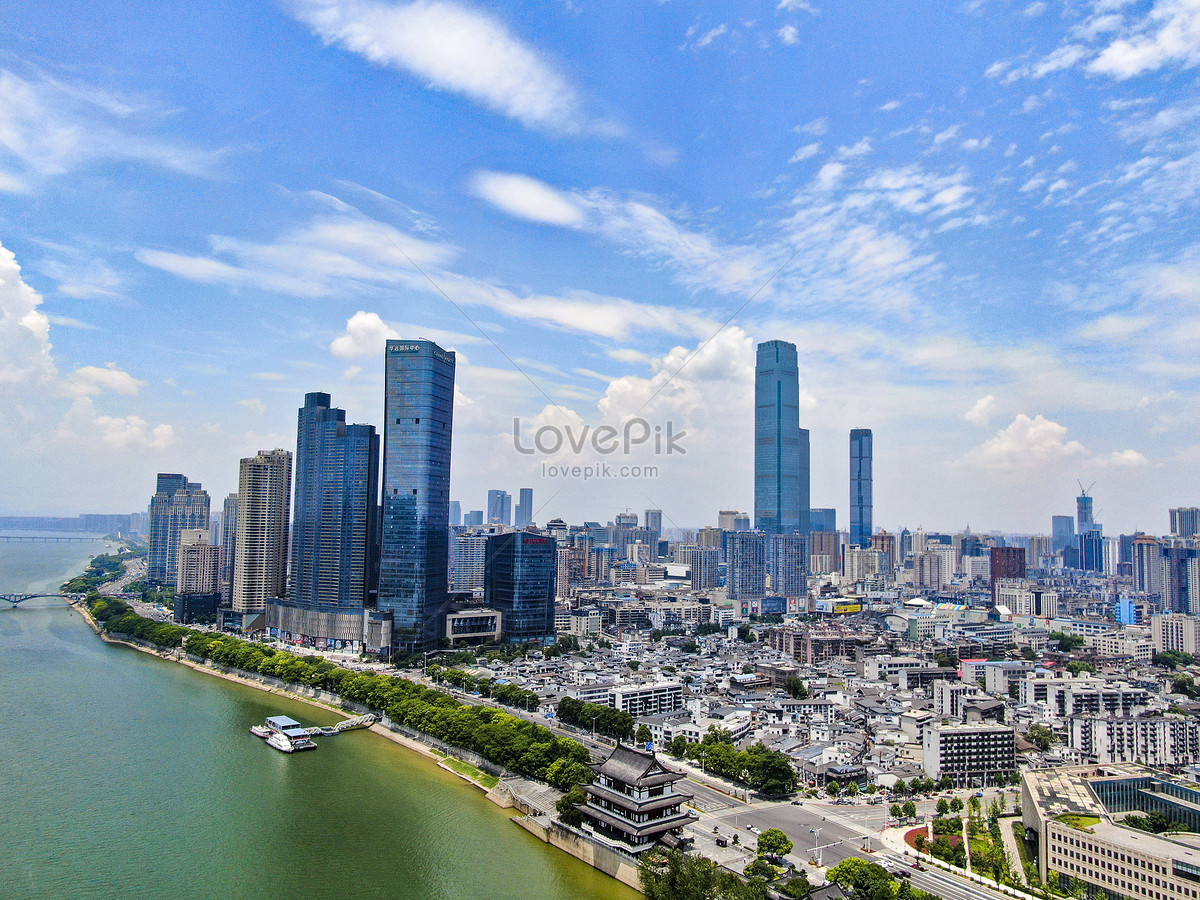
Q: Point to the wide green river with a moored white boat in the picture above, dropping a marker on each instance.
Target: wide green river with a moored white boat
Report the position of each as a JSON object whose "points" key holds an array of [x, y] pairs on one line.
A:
{"points": [[124, 776]]}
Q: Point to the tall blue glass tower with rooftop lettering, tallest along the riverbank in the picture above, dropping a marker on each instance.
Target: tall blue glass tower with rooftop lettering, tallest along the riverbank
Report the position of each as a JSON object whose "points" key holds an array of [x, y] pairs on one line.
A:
{"points": [[415, 554]]}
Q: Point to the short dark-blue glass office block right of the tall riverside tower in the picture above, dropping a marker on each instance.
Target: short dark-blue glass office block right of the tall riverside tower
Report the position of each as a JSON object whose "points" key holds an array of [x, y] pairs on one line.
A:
{"points": [[520, 583]]}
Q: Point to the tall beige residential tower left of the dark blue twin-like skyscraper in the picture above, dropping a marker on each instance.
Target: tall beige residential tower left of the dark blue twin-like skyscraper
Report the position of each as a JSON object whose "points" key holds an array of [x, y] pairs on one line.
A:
{"points": [[265, 501]]}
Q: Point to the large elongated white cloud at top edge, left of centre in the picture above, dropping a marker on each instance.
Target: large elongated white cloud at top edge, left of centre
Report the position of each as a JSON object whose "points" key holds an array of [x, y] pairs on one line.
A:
{"points": [[453, 49]]}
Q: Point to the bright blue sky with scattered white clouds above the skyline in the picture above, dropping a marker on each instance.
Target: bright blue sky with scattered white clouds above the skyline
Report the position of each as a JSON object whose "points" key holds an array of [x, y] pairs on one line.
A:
{"points": [[977, 221]]}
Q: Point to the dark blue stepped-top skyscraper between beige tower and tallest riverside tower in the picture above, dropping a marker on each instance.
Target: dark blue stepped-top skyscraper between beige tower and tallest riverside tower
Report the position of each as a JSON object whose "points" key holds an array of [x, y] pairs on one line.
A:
{"points": [[334, 526]]}
